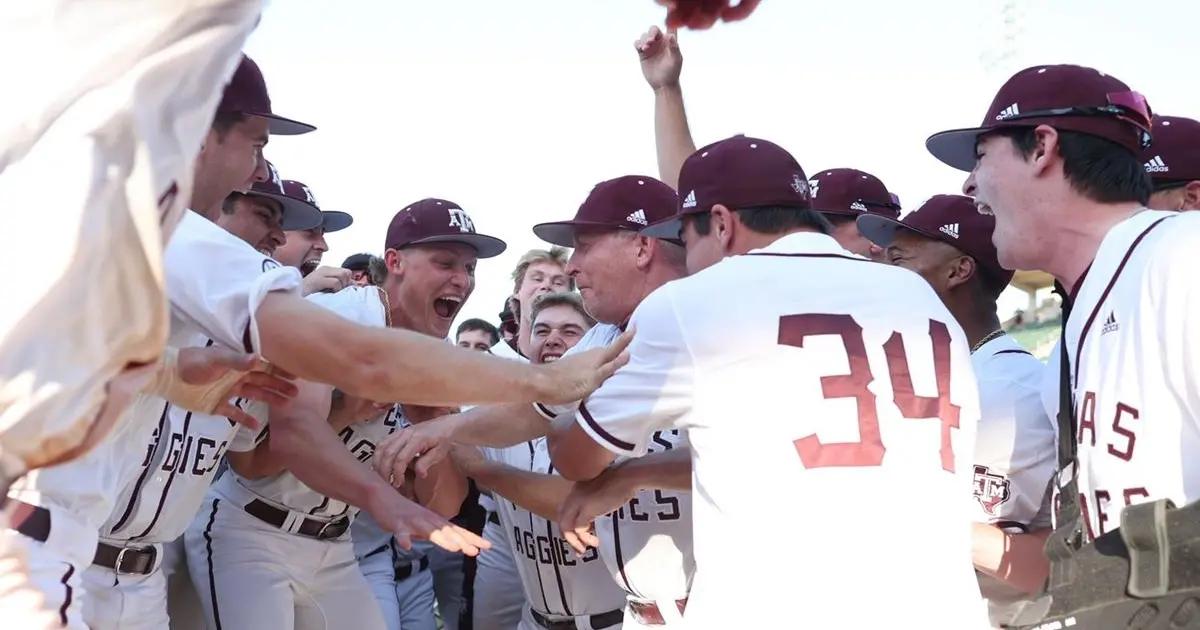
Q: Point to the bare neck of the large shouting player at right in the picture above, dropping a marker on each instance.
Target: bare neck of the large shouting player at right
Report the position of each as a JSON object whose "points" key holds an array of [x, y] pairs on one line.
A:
{"points": [[1076, 242]]}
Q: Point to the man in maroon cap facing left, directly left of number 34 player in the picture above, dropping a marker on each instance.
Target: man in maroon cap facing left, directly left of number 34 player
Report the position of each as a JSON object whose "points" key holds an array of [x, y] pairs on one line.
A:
{"points": [[646, 542]]}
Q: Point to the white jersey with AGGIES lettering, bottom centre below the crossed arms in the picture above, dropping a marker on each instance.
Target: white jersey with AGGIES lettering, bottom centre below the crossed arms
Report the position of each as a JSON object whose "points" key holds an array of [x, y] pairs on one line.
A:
{"points": [[557, 581]]}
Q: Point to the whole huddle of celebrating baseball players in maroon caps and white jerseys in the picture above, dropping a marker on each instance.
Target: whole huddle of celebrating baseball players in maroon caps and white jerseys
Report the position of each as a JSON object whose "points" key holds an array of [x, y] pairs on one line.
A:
{"points": [[740, 394]]}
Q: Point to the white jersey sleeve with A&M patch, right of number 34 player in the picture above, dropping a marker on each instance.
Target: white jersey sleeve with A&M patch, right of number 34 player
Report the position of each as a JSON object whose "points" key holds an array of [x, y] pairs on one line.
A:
{"points": [[1016, 454]]}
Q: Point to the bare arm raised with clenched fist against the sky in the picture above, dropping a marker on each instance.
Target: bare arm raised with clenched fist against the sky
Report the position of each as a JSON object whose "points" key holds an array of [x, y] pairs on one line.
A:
{"points": [[662, 64]]}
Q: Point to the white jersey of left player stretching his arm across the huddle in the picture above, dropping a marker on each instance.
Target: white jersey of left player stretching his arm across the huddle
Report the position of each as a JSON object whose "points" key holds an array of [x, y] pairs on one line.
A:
{"points": [[218, 283]]}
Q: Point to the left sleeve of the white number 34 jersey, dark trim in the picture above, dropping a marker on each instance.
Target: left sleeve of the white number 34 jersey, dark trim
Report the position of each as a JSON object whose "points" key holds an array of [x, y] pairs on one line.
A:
{"points": [[653, 392]]}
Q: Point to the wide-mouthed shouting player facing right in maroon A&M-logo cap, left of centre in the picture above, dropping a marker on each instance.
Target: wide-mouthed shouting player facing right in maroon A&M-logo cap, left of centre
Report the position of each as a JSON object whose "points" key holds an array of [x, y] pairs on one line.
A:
{"points": [[279, 555]]}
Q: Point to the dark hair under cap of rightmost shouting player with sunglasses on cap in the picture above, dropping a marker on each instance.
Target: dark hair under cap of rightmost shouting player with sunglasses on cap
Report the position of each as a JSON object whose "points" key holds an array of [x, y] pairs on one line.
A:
{"points": [[1097, 169]]}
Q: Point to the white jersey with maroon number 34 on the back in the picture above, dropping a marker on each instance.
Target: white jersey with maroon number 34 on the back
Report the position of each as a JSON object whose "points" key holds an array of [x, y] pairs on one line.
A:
{"points": [[825, 399]]}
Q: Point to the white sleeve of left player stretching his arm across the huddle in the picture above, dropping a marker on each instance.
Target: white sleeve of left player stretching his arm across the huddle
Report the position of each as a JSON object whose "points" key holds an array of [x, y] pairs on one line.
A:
{"points": [[217, 281]]}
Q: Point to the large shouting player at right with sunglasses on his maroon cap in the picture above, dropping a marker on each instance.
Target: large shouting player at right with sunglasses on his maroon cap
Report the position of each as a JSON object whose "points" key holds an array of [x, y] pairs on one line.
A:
{"points": [[1057, 161]]}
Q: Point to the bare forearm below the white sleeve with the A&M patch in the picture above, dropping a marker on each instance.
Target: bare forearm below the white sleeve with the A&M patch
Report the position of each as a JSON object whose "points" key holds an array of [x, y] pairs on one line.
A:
{"points": [[1017, 560]]}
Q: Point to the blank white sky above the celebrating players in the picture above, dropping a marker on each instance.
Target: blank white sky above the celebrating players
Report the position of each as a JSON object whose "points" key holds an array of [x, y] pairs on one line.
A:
{"points": [[517, 109]]}
